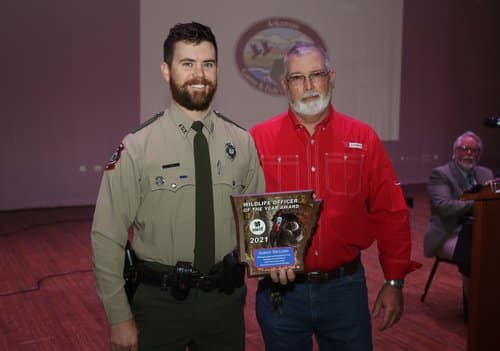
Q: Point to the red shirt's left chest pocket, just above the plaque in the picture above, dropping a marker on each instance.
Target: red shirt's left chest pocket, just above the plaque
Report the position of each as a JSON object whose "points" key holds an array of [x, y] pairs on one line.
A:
{"points": [[282, 172]]}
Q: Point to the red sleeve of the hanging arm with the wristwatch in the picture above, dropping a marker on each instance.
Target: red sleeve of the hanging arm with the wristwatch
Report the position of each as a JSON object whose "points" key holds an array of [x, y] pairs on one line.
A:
{"points": [[389, 215]]}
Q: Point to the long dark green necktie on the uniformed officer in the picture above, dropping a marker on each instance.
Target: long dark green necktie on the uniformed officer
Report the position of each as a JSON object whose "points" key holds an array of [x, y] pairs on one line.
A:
{"points": [[204, 250]]}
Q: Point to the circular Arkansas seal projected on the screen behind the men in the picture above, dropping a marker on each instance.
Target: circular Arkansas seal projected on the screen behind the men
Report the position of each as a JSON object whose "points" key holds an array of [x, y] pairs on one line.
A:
{"points": [[260, 50]]}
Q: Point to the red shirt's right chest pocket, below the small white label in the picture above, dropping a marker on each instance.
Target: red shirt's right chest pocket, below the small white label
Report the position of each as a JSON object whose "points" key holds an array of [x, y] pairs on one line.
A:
{"points": [[344, 172]]}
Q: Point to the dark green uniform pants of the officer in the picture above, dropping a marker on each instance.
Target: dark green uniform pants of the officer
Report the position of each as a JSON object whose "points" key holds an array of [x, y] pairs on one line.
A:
{"points": [[204, 321]]}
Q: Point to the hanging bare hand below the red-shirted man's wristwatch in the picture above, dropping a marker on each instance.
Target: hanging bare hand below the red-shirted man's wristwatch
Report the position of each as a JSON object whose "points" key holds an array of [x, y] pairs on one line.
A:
{"points": [[390, 300]]}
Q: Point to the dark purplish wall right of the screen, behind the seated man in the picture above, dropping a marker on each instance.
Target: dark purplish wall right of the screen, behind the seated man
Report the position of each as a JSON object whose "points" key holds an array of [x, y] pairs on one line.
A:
{"points": [[448, 83]]}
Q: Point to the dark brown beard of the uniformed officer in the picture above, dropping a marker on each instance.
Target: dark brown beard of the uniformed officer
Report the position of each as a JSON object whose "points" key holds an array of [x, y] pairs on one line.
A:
{"points": [[197, 100]]}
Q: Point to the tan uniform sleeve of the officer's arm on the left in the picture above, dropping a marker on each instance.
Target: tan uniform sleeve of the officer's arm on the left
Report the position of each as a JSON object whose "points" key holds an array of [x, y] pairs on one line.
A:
{"points": [[115, 210]]}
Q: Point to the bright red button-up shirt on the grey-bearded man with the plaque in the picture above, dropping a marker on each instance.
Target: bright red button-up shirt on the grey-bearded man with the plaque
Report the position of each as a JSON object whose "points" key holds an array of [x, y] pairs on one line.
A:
{"points": [[346, 165]]}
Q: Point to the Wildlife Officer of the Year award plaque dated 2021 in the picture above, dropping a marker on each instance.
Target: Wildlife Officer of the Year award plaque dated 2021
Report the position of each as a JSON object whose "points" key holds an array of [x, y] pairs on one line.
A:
{"points": [[274, 229]]}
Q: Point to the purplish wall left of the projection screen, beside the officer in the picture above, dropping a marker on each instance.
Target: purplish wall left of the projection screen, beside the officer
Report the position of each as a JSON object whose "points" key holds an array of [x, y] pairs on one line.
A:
{"points": [[70, 91]]}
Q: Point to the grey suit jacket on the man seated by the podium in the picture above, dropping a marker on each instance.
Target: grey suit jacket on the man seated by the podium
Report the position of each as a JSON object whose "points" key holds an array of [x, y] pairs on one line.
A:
{"points": [[446, 185]]}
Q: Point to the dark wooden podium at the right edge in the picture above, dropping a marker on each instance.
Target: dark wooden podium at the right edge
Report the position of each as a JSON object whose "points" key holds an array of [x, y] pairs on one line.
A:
{"points": [[484, 290]]}
